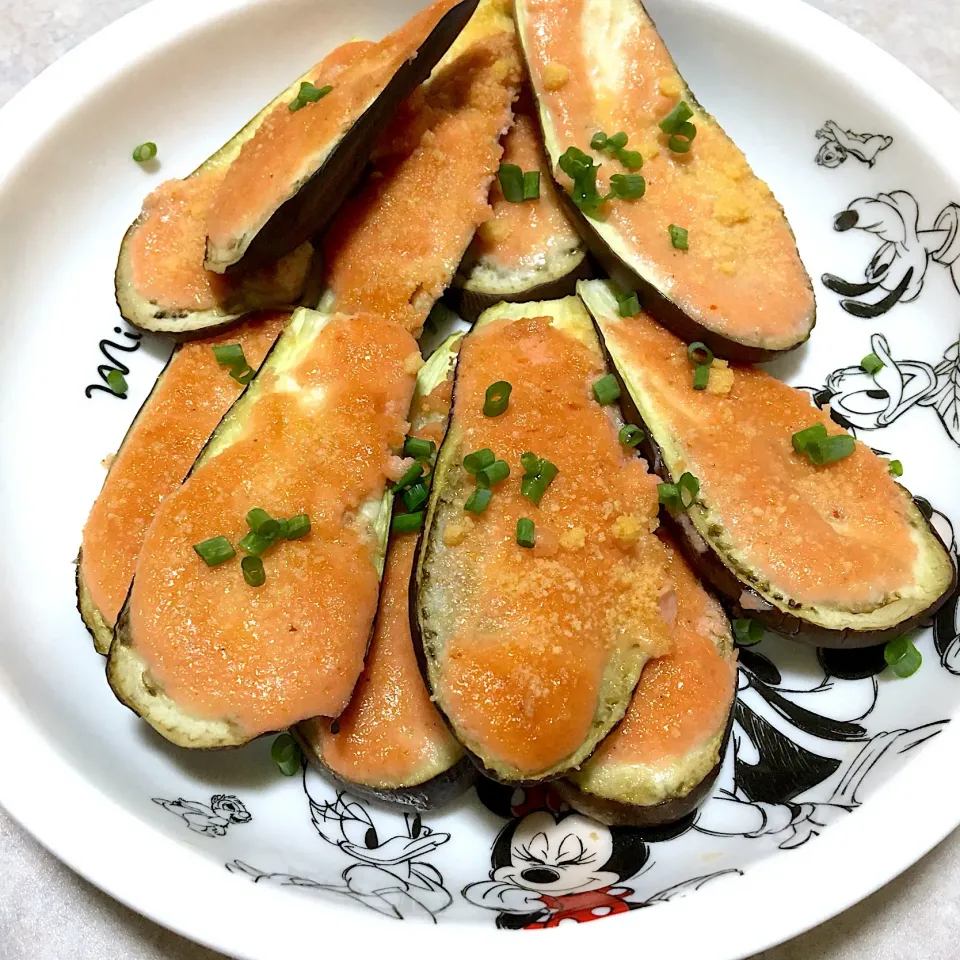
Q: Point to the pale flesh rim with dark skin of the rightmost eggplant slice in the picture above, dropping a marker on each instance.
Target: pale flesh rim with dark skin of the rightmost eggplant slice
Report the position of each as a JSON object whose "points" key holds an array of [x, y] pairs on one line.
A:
{"points": [[712, 551]]}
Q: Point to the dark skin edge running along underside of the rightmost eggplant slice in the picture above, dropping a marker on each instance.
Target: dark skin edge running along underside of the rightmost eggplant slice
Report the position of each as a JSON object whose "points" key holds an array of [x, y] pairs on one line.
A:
{"points": [[738, 592]]}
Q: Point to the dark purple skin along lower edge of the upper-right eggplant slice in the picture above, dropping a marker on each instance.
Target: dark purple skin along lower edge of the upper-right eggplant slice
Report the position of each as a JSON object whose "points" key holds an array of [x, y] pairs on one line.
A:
{"points": [[661, 307]]}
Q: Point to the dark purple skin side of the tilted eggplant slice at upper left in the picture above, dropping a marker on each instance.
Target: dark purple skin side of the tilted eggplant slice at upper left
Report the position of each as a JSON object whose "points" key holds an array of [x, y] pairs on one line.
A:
{"points": [[311, 210]]}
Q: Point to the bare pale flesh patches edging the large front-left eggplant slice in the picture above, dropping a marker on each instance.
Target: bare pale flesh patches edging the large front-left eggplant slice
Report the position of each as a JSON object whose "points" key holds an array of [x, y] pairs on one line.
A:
{"points": [[128, 672]]}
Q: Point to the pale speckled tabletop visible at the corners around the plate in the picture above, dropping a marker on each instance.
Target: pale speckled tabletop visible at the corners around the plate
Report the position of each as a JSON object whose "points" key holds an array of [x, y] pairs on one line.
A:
{"points": [[47, 911]]}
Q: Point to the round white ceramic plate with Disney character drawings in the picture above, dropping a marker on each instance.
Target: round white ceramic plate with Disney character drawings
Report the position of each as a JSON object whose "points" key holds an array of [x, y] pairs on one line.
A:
{"points": [[869, 763]]}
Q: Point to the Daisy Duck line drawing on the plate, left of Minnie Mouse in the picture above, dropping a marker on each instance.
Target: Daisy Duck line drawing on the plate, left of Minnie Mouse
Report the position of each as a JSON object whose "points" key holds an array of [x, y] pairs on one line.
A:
{"points": [[388, 872]]}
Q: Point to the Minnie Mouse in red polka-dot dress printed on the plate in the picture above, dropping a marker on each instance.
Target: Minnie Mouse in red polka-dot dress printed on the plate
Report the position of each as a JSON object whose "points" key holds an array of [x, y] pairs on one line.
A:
{"points": [[551, 865]]}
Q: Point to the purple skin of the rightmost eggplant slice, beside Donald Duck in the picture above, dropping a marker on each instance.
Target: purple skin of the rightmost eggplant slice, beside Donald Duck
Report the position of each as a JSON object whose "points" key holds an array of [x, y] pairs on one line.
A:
{"points": [[738, 596]]}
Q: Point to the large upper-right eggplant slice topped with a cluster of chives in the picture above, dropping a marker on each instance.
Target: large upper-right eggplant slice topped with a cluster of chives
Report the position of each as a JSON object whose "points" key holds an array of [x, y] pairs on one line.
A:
{"points": [[707, 247]]}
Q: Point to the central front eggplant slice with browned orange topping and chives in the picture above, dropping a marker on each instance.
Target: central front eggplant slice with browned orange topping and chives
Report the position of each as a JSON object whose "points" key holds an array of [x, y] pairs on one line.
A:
{"points": [[532, 652]]}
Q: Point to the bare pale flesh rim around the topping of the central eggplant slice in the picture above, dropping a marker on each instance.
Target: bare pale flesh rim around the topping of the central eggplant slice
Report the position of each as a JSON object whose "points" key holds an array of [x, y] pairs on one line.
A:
{"points": [[432, 604]]}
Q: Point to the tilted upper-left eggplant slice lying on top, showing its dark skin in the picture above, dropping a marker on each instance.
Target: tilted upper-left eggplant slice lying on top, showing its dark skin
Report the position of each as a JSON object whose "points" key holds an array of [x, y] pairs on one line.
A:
{"points": [[291, 176]]}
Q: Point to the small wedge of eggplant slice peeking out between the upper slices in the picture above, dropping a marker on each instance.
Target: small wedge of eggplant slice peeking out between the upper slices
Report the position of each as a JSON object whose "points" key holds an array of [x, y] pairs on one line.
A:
{"points": [[528, 249]]}
